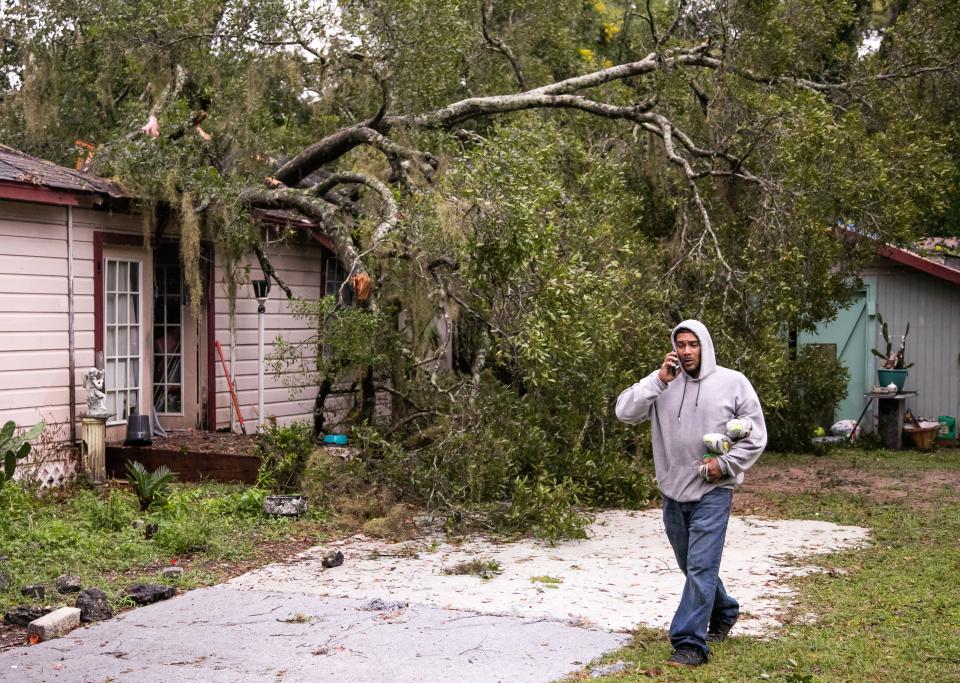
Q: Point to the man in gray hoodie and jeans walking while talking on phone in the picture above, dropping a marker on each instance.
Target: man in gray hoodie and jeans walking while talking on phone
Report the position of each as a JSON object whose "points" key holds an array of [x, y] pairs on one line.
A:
{"points": [[687, 397]]}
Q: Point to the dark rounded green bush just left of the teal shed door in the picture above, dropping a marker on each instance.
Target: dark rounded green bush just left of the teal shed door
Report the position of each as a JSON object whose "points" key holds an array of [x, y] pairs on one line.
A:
{"points": [[812, 386]]}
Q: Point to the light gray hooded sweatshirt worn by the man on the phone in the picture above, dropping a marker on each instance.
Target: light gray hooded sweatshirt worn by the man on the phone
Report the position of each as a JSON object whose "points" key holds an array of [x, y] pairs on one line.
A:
{"points": [[682, 411]]}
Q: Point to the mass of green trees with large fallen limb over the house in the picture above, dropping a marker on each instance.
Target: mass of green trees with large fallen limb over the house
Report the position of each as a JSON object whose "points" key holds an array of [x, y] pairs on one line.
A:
{"points": [[558, 181]]}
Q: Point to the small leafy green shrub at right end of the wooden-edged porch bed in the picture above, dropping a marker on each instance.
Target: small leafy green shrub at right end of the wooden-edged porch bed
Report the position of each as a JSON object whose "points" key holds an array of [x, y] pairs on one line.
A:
{"points": [[283, 453]]}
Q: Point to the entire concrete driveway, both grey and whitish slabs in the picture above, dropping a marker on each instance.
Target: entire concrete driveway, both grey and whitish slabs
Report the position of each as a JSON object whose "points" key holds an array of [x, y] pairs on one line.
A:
{"points": [[390, 613]]}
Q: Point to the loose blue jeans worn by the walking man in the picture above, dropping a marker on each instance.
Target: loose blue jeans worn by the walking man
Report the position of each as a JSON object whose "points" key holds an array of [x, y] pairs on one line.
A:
{"points": [[697, 531]]}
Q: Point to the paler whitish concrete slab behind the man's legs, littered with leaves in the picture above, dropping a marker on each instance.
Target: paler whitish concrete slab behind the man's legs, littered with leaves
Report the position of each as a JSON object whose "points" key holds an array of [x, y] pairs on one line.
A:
{"points": [[623, 575]]}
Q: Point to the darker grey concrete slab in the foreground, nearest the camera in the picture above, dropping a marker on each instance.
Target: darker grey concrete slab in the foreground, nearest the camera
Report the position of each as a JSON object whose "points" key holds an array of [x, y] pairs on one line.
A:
{"points": [[223, 634]]}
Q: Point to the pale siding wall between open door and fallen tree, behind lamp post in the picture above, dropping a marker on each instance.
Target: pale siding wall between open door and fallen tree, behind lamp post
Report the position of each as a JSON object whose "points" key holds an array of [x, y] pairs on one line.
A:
{"points": [[299, 268]]}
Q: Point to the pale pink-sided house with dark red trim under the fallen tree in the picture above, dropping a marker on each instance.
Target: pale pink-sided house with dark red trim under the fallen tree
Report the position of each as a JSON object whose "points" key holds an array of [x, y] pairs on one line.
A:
{"points": [[80, 285]]}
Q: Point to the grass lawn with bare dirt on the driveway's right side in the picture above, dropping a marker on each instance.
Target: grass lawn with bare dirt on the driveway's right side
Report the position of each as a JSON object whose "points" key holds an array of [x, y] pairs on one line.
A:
{"points": [[886, 612]]}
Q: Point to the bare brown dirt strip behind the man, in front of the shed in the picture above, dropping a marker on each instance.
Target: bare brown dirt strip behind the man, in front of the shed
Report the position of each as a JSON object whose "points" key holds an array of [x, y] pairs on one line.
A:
{"points": [[917, 489]]}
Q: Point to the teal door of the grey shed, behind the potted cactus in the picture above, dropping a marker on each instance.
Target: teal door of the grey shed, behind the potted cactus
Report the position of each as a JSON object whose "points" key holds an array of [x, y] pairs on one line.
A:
{"points": [[851, 332]]}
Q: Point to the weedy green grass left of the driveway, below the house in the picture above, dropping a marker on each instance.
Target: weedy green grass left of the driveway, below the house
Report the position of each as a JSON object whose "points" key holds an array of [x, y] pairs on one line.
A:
{"points": [[212, 531]]}
